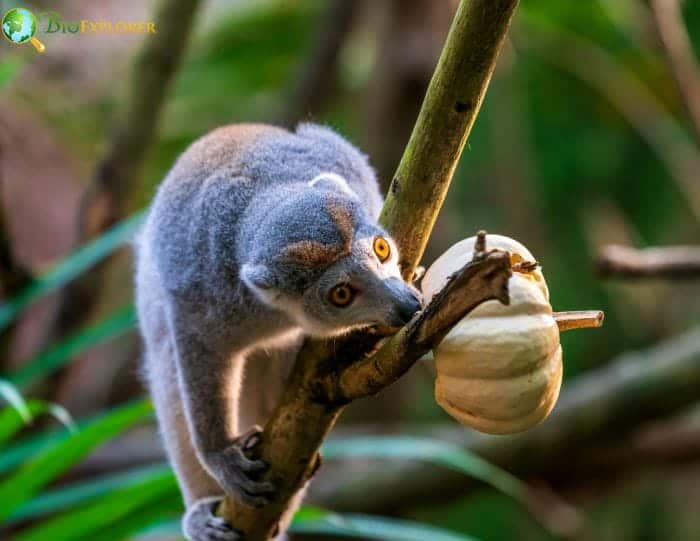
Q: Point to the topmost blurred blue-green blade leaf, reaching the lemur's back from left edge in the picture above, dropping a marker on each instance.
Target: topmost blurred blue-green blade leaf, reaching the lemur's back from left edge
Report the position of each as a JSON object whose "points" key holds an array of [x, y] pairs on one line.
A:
{"points": [[74, 265]]}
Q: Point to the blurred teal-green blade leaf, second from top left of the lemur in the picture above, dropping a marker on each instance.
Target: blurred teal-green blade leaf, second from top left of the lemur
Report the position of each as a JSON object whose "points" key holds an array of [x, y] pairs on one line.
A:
{"points": [[50, 360]]}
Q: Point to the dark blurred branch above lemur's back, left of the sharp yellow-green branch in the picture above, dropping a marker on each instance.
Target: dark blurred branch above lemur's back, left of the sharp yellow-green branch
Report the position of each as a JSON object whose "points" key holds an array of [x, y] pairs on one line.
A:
{"points": [[319, 75]]}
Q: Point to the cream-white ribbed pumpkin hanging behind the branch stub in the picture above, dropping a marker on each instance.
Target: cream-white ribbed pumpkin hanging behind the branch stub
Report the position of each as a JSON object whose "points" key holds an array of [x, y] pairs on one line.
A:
{"points": [[499, 370]]}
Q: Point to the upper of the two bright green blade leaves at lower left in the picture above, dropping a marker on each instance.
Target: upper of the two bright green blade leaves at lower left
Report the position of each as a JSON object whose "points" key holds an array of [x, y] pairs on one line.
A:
{"points": [[56, 459]]}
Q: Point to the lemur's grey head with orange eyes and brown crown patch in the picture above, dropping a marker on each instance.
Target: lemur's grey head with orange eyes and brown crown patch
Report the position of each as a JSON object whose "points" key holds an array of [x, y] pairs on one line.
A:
{"points": [[329, 266]]}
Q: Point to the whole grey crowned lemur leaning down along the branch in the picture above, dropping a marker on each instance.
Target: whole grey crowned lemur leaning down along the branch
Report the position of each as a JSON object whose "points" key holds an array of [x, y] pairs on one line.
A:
{"points": [[256, 237]]}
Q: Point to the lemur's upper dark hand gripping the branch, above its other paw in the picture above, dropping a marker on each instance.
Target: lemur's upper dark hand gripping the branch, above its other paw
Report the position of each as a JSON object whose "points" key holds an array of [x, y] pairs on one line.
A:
{"points": [[237, 473]]}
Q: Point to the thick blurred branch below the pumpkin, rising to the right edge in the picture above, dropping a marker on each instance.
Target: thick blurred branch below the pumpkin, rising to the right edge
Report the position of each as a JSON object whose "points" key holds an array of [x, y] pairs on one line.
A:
{"points": [[607, 403]]}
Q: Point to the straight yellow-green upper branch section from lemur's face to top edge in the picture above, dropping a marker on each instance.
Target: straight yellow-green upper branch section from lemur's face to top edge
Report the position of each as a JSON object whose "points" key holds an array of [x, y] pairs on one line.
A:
{"points": [[450, 108]]}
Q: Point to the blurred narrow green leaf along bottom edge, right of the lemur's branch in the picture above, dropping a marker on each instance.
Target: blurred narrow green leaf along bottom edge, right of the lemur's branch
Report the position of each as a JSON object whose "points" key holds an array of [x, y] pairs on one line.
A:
{"points": [[312, 520]]}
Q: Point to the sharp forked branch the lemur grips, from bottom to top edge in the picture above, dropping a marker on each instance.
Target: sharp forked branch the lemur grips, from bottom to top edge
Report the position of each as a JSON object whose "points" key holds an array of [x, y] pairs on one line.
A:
{"points": [[307, 411]]}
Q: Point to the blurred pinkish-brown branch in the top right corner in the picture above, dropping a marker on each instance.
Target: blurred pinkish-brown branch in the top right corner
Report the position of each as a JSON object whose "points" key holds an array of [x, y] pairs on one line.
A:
{"points": [[668, 18]]}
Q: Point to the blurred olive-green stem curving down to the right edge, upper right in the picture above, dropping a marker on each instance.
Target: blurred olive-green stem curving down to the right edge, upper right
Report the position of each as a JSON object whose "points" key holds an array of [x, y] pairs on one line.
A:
{"points": [[591, 64]]}
